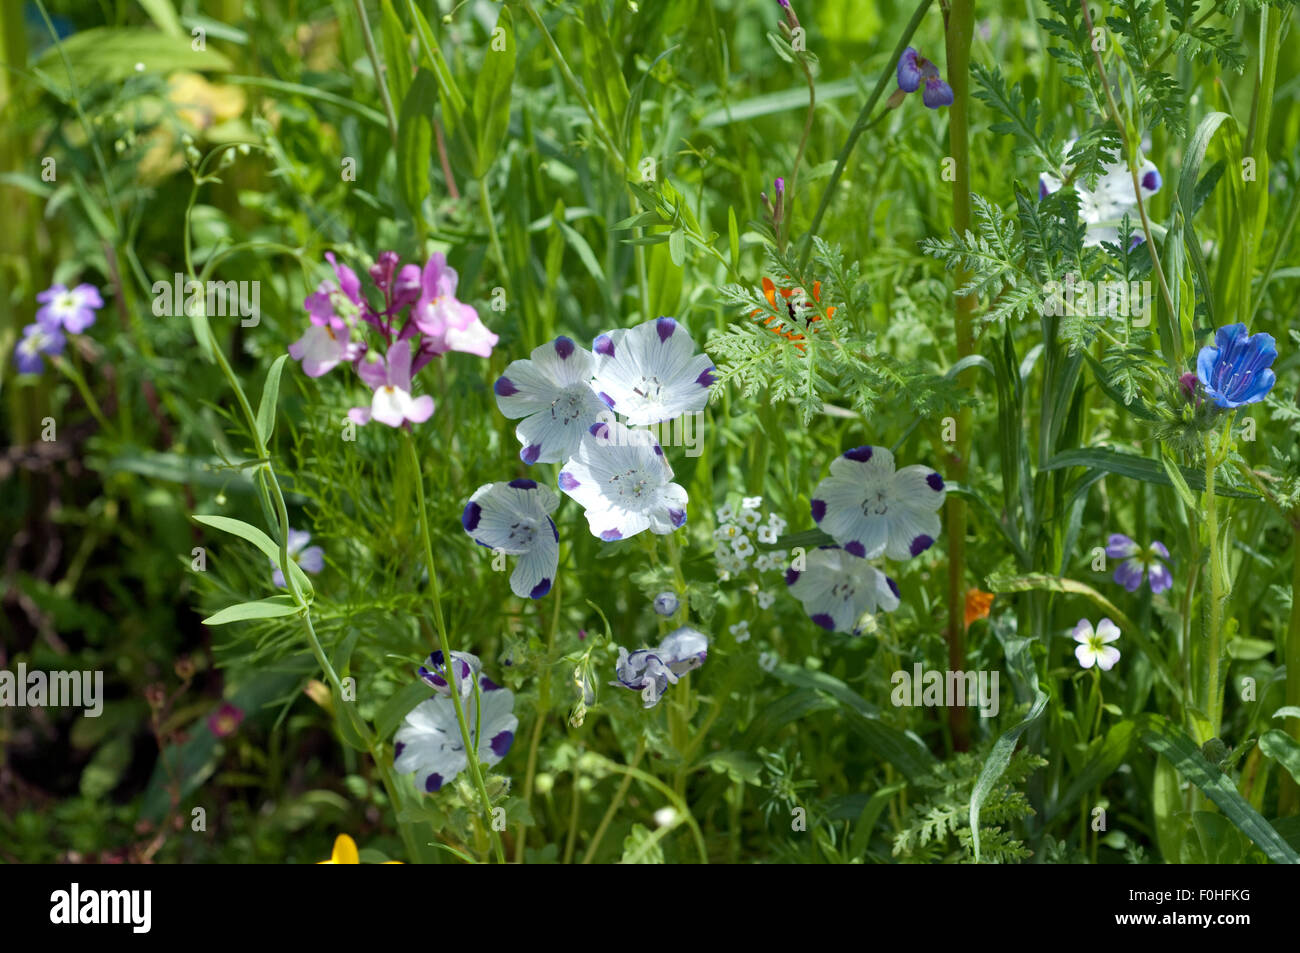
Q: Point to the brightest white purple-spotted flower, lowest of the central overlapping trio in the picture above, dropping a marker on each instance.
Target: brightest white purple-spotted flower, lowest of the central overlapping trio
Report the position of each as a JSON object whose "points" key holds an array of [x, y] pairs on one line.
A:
{"points": [[625, 483]]}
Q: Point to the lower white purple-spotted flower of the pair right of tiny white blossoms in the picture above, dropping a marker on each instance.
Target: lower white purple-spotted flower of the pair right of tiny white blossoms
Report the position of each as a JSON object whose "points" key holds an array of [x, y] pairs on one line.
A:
{"points": [[839, 588]]}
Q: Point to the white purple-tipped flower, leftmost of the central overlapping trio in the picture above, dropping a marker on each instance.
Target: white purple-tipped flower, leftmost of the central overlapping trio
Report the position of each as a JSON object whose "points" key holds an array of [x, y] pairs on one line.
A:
{"points": [[552, 391]]}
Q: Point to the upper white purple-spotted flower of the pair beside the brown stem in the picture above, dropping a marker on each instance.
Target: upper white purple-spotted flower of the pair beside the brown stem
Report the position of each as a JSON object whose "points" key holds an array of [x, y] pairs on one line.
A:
{"points": [[870, 509]]}
